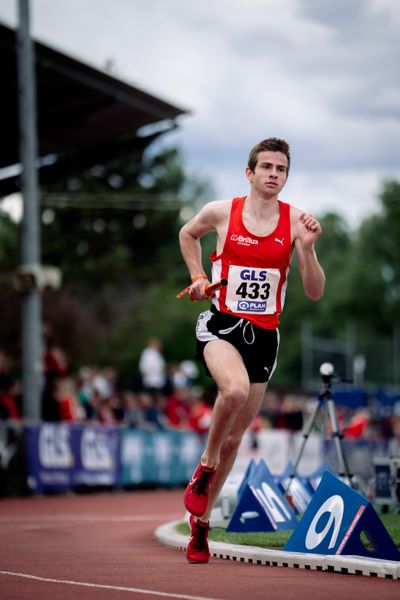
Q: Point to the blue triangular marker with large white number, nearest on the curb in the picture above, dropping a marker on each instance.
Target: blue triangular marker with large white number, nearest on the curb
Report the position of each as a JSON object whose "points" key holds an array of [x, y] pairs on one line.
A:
{"points": [[334, 521]]}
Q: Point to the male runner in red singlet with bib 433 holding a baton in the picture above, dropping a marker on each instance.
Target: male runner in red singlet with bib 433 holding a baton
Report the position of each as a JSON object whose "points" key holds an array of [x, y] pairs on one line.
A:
{"points": [[238, 338]]}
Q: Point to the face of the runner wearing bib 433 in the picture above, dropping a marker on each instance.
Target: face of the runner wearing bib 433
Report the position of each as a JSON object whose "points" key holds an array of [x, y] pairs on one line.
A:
{"points": [[270, 173]]}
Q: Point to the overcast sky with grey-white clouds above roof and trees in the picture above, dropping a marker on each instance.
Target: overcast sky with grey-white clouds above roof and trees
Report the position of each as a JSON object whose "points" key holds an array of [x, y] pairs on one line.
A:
{"points": [[323, 74]]}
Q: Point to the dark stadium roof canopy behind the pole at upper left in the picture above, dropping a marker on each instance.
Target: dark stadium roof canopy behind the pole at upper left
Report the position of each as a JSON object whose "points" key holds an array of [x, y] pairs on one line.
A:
{"points": [[84, 116]]}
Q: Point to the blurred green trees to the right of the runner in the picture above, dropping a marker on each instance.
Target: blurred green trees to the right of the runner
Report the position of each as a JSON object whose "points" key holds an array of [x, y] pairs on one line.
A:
{"points": [[362, 290]]}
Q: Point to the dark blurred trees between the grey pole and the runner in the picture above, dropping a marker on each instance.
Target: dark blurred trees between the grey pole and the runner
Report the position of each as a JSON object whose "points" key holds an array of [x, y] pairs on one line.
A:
{"points": [[115, 238]]}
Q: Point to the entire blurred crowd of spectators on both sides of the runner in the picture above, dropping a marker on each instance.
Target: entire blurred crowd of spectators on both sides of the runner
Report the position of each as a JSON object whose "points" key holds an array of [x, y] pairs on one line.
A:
{"points": [[164, 395]]}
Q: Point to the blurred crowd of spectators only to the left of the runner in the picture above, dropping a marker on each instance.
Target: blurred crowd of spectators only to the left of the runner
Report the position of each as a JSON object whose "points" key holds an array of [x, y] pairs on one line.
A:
{"points": [[160, 395]]}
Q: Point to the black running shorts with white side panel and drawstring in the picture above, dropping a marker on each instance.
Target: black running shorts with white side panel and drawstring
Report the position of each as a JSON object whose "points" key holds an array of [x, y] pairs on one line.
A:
{"points": [[257, 346]]}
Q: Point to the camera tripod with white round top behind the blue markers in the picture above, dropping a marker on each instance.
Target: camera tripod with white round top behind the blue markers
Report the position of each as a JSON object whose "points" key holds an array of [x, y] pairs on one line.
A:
{"points": [[325, 401]]}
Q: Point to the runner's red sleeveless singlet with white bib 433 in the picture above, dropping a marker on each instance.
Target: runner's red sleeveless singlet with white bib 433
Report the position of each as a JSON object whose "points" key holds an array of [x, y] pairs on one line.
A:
{"points": [[256, 268]]}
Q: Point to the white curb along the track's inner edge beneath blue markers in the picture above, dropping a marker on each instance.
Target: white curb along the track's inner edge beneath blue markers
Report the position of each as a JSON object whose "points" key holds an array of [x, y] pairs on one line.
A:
{"points": [[357, 565]]}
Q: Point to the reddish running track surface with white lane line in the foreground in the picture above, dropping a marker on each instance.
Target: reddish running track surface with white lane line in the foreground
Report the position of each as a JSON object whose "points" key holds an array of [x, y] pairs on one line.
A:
{"points": [[102, 547]]}
